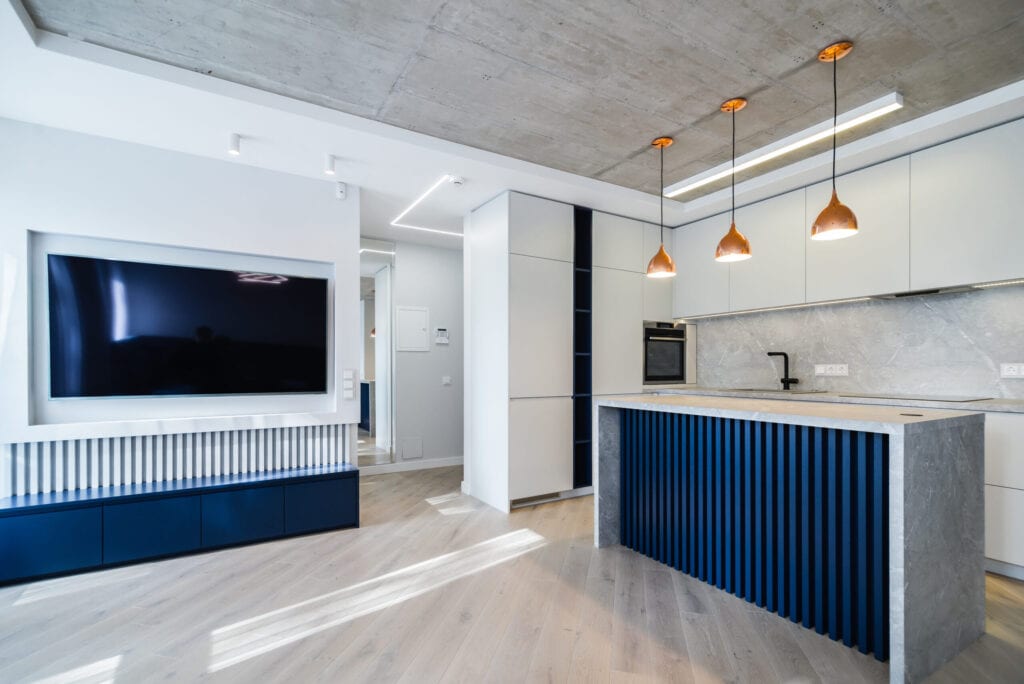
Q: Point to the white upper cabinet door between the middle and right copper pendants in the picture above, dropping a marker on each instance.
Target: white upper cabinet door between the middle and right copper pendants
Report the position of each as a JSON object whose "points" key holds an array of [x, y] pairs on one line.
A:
{"points": [[775, 277]]}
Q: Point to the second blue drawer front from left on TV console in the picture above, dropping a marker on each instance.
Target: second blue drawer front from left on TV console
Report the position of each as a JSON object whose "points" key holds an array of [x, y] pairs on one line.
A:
{"points": [[150, 529]]}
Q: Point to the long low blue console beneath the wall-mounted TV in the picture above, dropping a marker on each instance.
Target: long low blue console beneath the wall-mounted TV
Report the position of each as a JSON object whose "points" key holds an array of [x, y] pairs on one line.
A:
{"points": [[68, 532]]}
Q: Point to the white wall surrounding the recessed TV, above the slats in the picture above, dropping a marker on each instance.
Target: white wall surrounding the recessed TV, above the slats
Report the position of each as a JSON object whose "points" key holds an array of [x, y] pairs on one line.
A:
{"points": [[61, 183]]}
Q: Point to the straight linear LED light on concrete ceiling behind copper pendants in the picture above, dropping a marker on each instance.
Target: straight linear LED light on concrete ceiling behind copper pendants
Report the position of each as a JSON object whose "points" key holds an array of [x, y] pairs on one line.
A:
{"points": [[861, 115]]}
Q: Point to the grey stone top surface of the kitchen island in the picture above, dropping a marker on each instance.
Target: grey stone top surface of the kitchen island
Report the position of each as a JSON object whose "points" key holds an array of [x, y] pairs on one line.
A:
{"points": [[844, 416]]}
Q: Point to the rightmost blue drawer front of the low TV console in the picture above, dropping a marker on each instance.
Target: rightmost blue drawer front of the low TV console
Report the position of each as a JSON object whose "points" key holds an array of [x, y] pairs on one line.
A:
{"points": [[323, 505]]}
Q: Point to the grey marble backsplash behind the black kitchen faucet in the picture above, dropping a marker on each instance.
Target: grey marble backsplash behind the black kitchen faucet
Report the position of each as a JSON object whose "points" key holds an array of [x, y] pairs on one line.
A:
{"points": [[947, 345]]}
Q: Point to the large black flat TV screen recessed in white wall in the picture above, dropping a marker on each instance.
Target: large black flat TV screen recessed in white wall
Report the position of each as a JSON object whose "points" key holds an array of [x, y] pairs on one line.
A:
{"points": [[131, 329]]}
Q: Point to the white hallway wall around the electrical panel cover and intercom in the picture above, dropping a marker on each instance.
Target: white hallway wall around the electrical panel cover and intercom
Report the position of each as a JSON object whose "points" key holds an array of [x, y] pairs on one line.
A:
{"points": [[429, 415]]}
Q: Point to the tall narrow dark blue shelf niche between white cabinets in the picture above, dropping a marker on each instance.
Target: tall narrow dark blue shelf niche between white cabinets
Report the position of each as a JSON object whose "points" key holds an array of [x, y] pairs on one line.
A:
{"points": [[582, 347]]}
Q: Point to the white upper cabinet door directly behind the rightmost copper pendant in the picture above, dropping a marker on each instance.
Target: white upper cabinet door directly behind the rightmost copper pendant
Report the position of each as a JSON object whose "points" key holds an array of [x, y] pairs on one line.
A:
{"points": [[877, 261]]}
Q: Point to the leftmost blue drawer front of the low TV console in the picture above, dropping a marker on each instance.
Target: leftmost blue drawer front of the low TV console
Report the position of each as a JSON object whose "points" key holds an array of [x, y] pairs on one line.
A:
{"points": [[48, 543]]}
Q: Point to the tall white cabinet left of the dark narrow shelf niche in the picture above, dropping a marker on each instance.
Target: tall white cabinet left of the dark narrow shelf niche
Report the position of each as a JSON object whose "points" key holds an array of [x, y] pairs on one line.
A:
{"points": [[519, 303]]}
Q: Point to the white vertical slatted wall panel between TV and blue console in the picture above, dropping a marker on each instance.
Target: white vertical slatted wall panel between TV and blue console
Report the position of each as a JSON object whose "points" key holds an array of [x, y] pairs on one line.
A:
{"points": [[80, 464]]}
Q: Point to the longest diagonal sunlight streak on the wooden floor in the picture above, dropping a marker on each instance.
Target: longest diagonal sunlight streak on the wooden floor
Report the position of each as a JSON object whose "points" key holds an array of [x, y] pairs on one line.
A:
{"points": [[249, 638]]}
